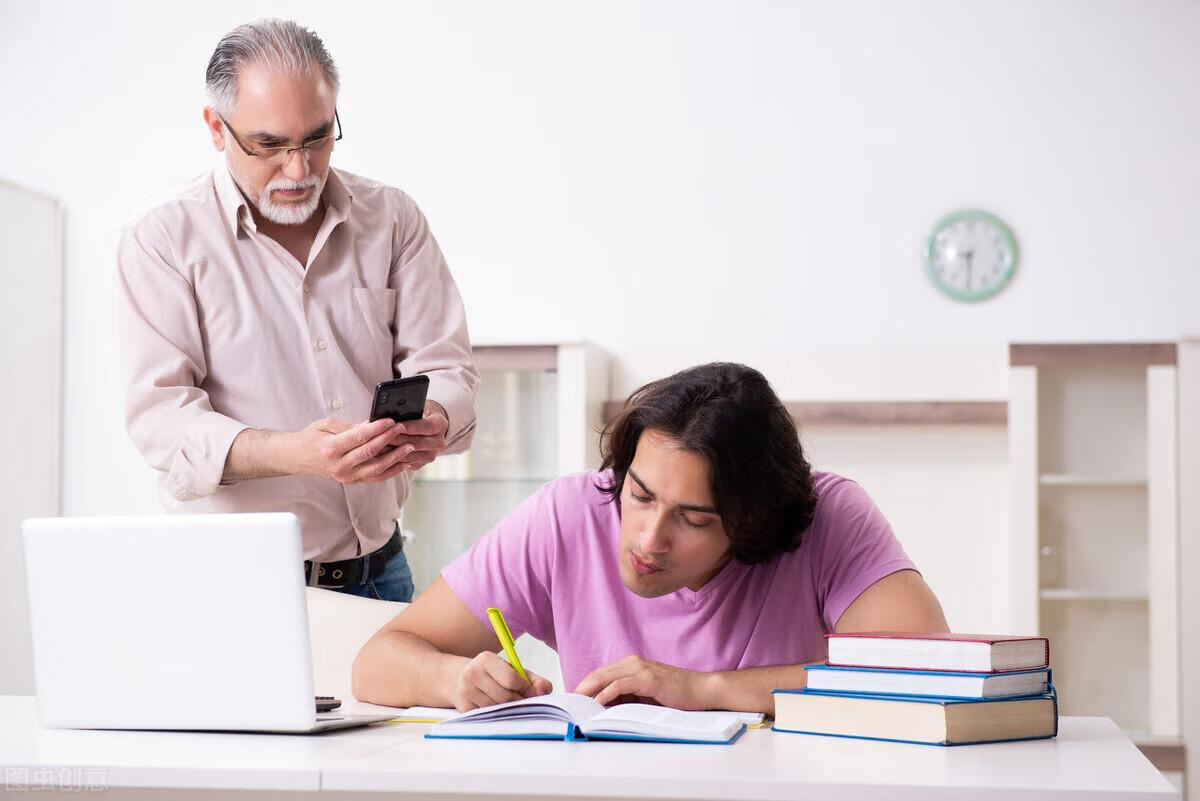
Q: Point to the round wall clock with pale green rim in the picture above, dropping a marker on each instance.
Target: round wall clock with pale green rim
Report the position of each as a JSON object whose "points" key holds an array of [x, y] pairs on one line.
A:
{"points": [[970, 256]]}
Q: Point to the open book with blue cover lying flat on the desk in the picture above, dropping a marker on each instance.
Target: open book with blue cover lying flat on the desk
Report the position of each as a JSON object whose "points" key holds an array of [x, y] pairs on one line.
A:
{"points": [[569, 716]]}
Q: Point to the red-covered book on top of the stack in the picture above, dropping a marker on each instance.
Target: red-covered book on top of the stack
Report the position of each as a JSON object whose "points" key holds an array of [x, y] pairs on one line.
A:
{"points": [[965, 653]]}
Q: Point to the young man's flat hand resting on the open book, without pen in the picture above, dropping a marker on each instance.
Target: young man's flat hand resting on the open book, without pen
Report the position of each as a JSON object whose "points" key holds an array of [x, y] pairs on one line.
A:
{"points": [[645, 680]]}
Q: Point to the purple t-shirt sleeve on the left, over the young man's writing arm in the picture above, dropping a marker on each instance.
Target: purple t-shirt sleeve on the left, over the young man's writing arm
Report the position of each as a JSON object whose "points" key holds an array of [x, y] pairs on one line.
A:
{"points": [[512, 568]]}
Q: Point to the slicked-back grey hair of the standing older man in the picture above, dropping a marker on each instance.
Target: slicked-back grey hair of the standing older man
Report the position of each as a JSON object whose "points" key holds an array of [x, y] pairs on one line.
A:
{"points": [[279, 44]]}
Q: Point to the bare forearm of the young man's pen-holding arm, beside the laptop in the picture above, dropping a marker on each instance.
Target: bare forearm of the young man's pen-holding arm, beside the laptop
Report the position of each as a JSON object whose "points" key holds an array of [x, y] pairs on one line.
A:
{"points": [[400, 670]]}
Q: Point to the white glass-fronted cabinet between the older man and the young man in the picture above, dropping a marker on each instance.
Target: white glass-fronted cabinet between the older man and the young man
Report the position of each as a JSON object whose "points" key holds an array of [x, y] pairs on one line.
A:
{"points": [[538, 418]]}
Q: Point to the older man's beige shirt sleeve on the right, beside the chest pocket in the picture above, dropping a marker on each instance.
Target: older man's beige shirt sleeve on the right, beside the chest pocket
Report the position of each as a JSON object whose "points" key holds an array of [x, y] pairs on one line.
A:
{"points": [[431, 327]]}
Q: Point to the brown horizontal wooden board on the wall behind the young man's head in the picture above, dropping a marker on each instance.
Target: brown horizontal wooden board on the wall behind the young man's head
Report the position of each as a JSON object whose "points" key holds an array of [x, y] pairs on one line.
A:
{"points": [[885, 413]]}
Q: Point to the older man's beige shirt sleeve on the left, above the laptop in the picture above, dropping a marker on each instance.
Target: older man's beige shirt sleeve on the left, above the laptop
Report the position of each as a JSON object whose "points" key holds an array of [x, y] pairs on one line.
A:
{"points": [[169, 417]]}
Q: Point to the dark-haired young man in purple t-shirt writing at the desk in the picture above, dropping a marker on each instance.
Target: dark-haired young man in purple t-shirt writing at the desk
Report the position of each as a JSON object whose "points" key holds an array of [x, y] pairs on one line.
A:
{"points": [[700, 569]]}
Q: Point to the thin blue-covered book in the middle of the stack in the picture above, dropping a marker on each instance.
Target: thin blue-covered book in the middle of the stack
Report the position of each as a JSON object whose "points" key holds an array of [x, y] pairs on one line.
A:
{"points": [[937, 684]]}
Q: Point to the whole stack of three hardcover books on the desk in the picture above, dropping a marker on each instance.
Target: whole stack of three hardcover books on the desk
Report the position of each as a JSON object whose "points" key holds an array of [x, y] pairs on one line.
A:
{"points": [[932, 689]]}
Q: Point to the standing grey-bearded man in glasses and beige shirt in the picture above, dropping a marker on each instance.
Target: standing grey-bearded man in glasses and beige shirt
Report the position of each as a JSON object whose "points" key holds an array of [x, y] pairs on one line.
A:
{"points": [[263, 303]]}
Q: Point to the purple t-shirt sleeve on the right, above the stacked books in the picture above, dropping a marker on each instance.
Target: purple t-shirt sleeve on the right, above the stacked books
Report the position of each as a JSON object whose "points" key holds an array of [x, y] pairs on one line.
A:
{"points": [[856, 549]]}
